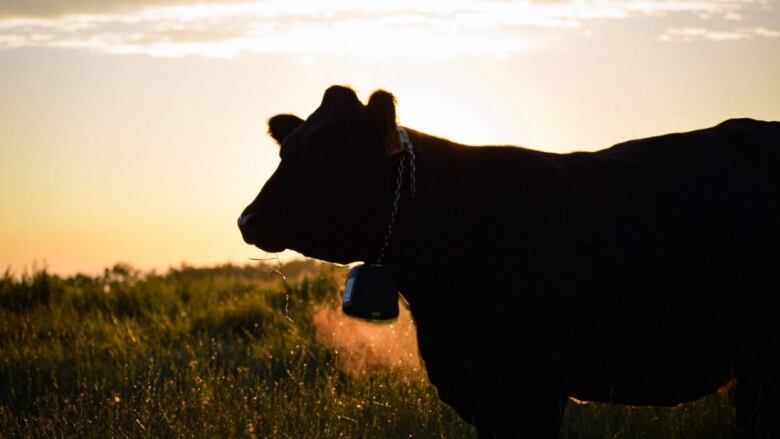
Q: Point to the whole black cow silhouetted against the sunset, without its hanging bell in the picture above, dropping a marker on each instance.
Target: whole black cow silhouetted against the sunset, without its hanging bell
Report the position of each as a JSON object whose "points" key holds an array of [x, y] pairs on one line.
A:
{"points": [[641, 274]]}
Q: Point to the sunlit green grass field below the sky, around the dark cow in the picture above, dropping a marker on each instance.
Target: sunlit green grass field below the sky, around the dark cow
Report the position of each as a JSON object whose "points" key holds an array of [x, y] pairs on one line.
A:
{"points": [[240, 352]]}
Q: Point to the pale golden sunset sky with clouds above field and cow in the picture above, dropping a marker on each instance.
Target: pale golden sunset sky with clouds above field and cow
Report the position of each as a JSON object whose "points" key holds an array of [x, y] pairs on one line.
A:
{"points": [[135, 130]]}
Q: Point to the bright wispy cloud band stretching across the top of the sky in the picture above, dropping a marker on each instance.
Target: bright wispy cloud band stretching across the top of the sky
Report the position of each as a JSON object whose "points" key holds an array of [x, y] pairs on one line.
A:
{"points": [[428, 28]]}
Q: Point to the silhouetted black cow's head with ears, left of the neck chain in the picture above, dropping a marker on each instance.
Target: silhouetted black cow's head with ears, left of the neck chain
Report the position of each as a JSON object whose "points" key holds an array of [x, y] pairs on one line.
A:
{"points": [[331, 195]]}
